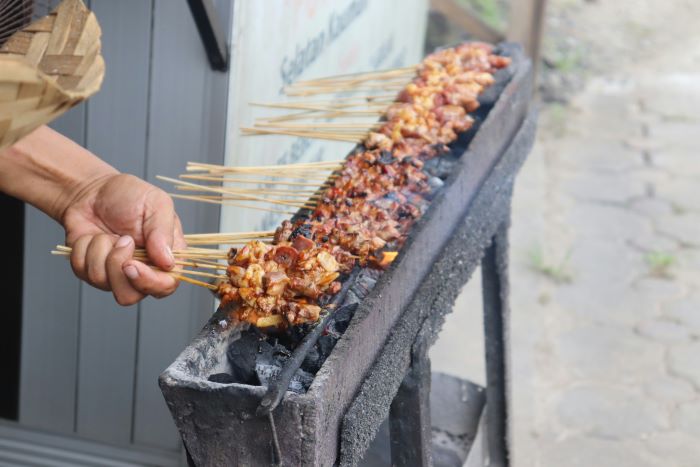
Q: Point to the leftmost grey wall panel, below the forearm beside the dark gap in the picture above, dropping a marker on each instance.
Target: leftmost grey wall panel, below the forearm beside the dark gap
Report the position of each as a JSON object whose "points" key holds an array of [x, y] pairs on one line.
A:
{"points": [[50, 313]]}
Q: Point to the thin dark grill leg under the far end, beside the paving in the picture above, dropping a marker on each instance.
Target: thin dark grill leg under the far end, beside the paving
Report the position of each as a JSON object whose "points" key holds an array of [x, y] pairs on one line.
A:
{"points": [[494, 270]]}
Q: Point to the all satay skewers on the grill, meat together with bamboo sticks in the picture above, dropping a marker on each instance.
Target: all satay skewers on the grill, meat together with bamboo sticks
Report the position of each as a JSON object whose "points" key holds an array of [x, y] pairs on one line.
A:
{"points": [[346, 213]]}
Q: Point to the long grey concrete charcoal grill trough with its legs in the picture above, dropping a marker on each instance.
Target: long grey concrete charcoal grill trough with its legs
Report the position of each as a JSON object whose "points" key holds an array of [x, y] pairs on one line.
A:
{"points": [[379, 368]]}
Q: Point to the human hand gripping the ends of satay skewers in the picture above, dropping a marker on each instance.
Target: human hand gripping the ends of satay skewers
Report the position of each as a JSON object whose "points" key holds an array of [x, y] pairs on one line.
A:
{"points": [[106, 219]]}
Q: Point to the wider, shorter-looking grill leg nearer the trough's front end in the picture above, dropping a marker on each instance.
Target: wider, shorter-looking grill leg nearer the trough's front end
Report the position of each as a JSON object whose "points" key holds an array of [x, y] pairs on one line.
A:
{"points": [[409, 415]]}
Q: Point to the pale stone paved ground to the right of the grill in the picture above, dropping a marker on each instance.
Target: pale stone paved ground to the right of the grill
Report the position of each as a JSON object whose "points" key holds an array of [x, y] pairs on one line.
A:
{"points": [[606, 252]]}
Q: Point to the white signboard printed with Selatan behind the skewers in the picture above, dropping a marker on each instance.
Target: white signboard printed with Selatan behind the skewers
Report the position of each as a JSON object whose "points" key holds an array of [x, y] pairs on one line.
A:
{"points": [[278, 42]]}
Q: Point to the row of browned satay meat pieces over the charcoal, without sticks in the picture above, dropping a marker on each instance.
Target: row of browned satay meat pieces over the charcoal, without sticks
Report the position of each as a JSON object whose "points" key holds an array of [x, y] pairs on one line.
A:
{"points": [[366, 212]]}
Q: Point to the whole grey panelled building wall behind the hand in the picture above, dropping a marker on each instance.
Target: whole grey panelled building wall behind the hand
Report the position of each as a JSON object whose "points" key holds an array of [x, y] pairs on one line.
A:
{"points": [[89, 367]]}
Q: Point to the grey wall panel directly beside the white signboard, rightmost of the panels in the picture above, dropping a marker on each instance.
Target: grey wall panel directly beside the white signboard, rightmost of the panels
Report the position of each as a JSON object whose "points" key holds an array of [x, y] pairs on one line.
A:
{"points": [[184, 125]]}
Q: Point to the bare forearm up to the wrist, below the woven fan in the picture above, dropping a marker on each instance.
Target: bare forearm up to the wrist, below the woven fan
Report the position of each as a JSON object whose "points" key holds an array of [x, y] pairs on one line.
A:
{"points": [[48, 170]]}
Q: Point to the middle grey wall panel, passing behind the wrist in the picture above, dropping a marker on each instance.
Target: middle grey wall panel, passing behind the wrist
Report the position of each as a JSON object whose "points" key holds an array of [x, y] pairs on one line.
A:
{"points": [[116, 131]]}
